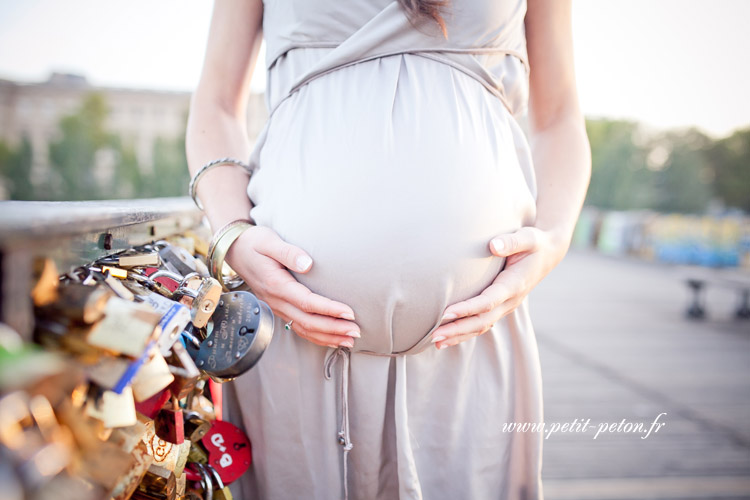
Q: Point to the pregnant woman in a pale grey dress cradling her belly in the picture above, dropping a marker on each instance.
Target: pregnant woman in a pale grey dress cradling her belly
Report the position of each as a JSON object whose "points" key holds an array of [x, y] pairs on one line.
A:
{"points": [[400, 218]]}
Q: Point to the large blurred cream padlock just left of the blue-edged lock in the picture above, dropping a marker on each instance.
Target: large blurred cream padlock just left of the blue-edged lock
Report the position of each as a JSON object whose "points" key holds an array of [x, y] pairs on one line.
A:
{"points": [[127, 327]]}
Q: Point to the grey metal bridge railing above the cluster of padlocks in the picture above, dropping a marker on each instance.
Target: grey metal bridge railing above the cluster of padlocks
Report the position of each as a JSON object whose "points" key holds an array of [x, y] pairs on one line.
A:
{"points": [[72, 234]]}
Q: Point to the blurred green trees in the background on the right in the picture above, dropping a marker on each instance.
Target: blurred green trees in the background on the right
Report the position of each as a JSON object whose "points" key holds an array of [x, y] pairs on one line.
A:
{"points": [[675, 171]]}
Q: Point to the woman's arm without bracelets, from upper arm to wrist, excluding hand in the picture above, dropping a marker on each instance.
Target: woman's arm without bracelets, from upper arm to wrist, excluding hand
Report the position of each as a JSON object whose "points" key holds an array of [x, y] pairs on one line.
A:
{"points": [[560, 147]]}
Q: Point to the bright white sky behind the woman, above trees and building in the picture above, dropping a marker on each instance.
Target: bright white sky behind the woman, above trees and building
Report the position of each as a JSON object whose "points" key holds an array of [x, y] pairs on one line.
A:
{"points": [[666, 63]]}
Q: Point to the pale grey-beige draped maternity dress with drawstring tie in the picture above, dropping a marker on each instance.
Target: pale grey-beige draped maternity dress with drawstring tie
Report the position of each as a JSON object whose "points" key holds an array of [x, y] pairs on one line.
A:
{"points": [[392, 155]]}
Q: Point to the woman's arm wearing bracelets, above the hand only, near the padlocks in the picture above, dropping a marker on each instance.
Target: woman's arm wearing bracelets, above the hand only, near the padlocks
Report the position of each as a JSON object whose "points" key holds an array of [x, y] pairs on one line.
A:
{"points": [[217, 125]]}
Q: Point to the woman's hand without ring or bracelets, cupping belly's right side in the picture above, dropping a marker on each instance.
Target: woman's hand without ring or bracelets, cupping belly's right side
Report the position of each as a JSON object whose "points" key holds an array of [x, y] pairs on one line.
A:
{"points": [[531, 254]]}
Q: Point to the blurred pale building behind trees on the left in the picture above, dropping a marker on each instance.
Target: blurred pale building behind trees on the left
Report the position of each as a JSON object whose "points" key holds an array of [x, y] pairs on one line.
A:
{"points": [[138, 116]]}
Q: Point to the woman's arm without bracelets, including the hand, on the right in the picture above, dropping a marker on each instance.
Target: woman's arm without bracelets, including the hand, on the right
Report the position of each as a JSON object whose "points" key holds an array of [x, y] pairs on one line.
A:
{"points": [[562, 162]]}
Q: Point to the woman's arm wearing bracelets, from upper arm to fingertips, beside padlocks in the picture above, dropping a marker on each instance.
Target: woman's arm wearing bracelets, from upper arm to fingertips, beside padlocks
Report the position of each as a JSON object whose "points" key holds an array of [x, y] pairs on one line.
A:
{"points": [[217, 129]]}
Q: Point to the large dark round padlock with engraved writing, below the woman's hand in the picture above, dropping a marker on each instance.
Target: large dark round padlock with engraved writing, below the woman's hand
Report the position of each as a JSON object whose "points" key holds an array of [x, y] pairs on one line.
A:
{"points": [[242, 329]]}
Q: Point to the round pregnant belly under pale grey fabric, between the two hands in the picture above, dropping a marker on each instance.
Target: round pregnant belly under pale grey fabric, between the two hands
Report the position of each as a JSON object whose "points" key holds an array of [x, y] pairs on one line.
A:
{"points": [[394, 186]]}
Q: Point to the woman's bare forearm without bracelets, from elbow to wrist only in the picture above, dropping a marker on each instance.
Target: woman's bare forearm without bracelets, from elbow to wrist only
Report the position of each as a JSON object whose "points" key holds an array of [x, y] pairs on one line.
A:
{"points": [[562, 162]]}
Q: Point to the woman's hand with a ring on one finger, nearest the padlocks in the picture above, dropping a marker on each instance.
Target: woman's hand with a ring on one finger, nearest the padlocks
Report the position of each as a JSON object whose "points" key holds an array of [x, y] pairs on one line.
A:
{"points": [[263, 260]]}
